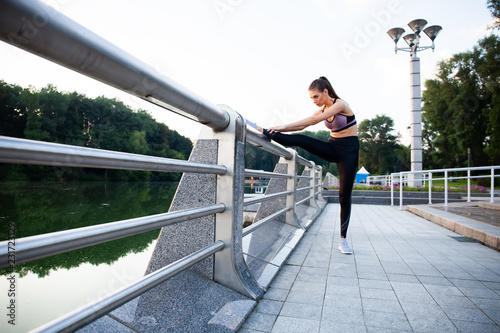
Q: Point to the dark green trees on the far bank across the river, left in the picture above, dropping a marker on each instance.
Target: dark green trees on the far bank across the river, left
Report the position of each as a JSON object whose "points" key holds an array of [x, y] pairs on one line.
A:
{"points": [[72, 118]]}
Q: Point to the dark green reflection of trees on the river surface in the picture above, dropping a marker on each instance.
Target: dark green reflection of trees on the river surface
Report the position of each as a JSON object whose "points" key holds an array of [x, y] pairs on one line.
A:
{"points": [[38, 208]]}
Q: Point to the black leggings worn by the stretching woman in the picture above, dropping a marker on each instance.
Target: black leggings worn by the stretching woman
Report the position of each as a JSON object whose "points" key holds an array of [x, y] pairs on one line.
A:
{"points": [[343, 151]]}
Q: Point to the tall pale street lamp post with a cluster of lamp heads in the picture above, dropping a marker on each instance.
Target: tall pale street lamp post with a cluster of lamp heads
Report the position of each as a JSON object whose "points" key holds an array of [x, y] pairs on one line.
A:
{"points": [[413, 41]]}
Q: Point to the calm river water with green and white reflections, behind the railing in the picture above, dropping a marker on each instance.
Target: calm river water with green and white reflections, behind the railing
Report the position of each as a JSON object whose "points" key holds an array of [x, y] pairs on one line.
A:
{"points": [[48, 288]]}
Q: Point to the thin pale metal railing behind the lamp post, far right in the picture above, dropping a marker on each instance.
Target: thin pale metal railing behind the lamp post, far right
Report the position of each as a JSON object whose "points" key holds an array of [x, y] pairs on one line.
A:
{"points": [[404, 178]]}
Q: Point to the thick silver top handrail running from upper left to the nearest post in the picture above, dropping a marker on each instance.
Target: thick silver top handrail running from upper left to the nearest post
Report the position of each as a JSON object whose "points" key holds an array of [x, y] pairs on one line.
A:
{"points": [[70, 44]]}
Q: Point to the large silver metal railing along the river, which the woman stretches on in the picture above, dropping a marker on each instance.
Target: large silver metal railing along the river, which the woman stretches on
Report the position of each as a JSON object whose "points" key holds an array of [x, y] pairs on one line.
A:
{"points": [[67, 43]]}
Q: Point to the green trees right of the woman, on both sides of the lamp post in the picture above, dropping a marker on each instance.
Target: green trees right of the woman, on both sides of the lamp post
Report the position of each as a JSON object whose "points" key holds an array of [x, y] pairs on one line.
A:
{"points": [[460, 114]]}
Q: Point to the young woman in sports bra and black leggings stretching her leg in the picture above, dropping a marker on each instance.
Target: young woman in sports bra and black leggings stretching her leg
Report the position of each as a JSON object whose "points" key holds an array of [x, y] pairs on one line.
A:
{"points": [[342, 147]]}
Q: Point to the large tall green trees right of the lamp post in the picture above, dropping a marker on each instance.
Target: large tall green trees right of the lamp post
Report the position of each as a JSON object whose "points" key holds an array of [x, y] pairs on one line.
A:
{"points": [[462, 110]]}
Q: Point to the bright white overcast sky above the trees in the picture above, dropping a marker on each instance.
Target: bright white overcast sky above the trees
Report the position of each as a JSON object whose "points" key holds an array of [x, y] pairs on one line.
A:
{"points": [[259, 57]]}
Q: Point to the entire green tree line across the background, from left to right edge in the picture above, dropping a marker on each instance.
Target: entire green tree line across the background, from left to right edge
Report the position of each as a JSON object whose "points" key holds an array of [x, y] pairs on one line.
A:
{"points": [[460, 124]]}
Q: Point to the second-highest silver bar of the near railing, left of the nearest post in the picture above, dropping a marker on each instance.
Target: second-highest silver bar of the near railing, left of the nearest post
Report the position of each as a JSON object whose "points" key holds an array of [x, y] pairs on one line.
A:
{"points": [[14, 150]]}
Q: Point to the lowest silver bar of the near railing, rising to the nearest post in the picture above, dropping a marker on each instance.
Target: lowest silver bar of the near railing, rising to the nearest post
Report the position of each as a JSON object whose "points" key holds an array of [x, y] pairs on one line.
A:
{"points": [[83, 316]]}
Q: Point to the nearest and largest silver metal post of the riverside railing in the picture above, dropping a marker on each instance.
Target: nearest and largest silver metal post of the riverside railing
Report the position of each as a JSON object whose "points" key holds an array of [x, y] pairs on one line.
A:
{"points": [[230, 268]]}
